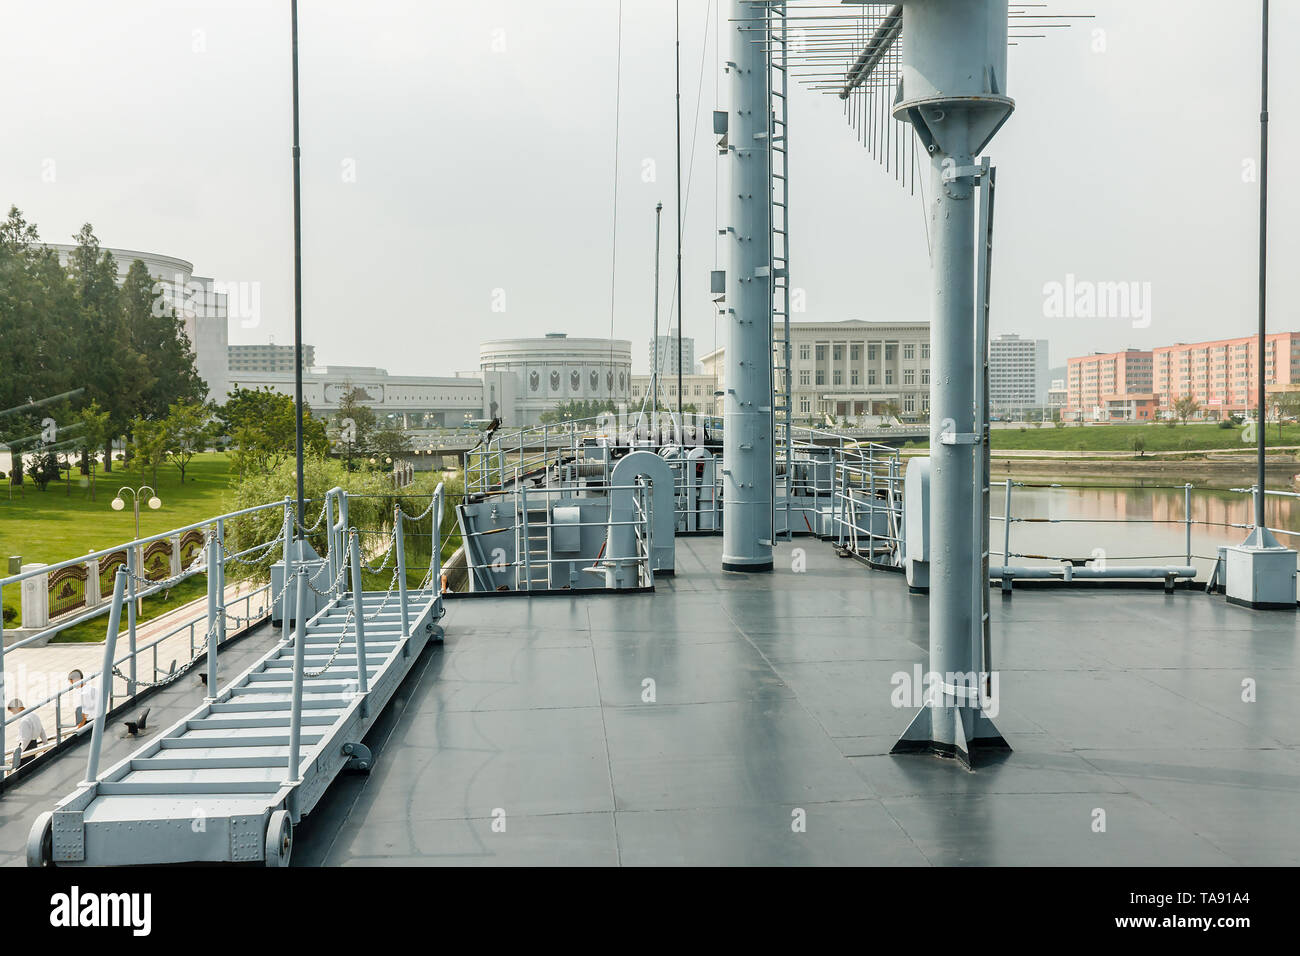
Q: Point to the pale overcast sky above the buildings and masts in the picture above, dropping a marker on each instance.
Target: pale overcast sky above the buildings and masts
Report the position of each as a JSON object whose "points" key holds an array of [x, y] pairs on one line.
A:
{"points": [[456, 149]]}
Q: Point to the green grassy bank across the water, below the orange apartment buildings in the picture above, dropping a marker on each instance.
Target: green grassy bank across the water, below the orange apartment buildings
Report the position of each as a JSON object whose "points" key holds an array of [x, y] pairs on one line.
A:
{"points": [[1158, 438]]}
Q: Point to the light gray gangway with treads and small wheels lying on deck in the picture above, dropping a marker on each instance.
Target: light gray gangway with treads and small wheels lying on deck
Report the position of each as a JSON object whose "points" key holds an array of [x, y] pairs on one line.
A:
{"points": [[228, 782]]}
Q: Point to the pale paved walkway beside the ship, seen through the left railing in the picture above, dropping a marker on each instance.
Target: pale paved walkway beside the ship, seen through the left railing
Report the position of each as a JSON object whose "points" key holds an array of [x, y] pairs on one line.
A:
{"points": [[33, 674]]}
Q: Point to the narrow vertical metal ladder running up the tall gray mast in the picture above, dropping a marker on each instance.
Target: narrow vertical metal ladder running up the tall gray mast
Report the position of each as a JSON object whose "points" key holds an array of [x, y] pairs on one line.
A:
{"points": [[778, 246]]}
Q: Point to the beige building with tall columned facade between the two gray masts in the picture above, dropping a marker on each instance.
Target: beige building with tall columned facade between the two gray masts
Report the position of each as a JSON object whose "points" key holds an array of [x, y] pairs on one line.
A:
{"points": [[853, 369]]}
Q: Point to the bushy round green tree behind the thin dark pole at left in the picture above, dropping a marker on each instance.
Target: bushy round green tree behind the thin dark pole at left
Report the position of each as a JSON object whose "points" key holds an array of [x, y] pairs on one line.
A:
{"points": [[262, 427]]}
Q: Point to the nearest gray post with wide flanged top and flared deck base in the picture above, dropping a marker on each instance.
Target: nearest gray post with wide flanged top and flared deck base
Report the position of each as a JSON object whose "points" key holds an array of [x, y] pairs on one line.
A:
{"points": [[952, 90]]}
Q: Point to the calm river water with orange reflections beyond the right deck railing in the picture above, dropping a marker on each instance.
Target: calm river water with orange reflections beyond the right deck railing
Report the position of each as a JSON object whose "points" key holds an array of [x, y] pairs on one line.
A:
{"points": [[1129, 525]]}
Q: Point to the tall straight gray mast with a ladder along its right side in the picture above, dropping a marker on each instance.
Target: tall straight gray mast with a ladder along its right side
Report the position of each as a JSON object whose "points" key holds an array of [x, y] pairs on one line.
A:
{"points": [[748, 400]]}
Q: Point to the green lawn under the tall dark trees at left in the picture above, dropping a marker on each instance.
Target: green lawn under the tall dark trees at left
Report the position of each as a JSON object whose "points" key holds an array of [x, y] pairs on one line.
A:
{"points": [[64, 522]]}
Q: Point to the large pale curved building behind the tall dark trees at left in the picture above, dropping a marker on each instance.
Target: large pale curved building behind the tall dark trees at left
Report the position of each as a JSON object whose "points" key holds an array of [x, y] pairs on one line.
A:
{"points": [[198, 302]]}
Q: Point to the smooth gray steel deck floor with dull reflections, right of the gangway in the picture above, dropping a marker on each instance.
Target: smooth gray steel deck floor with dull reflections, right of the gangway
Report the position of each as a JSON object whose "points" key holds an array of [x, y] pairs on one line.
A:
{"points": [[774, 694]]}
